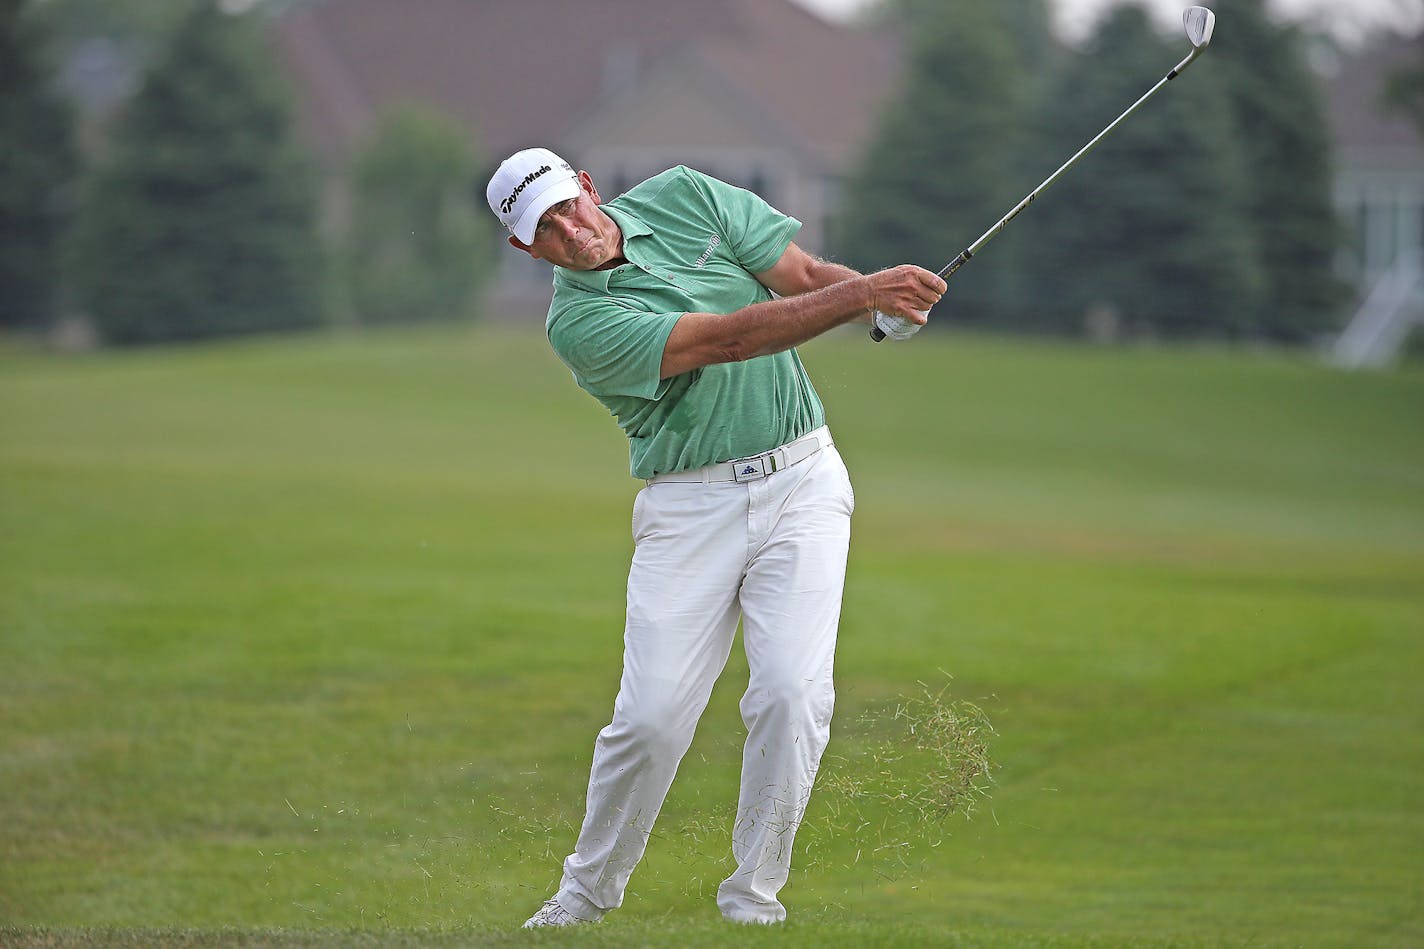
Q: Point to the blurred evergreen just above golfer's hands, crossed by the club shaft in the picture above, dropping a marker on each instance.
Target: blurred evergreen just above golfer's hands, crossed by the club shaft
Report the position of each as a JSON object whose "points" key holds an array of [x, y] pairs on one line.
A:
{"points": [[943, 165]]}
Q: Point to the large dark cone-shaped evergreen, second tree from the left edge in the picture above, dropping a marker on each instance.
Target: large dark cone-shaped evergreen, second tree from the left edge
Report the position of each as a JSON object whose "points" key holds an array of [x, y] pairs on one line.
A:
{"points": [[201, 224]]}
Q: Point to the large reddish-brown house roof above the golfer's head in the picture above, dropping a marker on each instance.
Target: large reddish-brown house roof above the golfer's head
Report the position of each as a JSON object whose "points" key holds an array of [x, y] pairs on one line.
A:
{"points": [[481, 62]]}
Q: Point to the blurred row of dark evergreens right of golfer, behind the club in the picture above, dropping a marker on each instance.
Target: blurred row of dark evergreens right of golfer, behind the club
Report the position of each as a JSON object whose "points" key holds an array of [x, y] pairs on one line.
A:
{"points": [[1207, 214]]}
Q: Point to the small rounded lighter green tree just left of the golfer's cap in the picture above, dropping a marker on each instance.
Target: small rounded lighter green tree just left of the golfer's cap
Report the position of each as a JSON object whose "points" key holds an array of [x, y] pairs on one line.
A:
{"points": [[421, 243]]}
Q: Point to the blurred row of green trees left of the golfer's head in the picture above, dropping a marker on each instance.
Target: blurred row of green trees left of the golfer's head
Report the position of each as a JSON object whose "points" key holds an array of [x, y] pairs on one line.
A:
{"points": [[197, 214]]}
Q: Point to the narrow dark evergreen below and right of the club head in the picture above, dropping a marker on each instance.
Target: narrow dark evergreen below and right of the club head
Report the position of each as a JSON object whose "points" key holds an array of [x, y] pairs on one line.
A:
{"points": [[1278, 103]]}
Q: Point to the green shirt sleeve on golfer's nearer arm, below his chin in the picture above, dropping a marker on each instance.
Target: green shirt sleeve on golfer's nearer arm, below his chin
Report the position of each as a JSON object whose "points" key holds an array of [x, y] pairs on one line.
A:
{"points": [[613, 350]]}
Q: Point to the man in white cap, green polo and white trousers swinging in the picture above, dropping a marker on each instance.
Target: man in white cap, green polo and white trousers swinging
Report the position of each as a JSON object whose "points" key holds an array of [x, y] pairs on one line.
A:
{"points": [[677, 306]]}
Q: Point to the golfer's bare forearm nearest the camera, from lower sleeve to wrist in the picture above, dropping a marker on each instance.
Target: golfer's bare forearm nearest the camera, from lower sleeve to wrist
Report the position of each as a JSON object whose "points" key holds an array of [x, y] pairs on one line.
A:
{"points": [[704, 340]]}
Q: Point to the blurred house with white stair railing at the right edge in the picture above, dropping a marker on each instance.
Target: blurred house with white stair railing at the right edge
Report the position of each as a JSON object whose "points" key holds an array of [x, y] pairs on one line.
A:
{"points": [[1379, 189]]}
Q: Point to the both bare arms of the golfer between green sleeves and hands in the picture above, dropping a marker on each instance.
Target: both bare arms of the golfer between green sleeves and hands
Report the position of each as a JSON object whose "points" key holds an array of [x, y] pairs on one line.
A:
{"points": [[815, 296]]}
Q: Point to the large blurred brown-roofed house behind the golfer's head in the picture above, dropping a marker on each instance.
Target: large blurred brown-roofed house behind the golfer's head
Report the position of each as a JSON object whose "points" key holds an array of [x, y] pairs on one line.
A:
{"points": [[760, 93]]}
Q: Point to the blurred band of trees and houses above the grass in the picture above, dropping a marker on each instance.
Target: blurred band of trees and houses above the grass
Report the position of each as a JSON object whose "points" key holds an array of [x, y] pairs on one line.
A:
{"points": [[186, 170]]}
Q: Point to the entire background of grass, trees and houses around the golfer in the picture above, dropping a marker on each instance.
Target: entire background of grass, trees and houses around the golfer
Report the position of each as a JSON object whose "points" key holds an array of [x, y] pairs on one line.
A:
{"points": [[313, 556]]}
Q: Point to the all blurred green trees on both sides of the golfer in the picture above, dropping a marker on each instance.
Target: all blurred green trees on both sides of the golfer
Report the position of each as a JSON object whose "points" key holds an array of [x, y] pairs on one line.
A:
{"points": [[196, 214]]}
